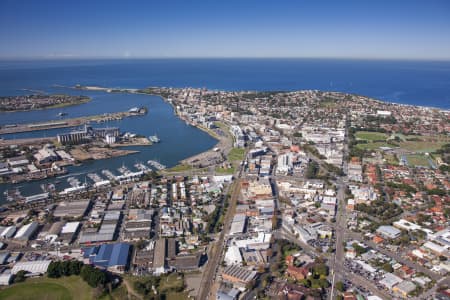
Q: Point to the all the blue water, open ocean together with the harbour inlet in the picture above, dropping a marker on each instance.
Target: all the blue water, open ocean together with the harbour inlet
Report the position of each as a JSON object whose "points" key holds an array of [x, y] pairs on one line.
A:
{"points": [[410, 82]]}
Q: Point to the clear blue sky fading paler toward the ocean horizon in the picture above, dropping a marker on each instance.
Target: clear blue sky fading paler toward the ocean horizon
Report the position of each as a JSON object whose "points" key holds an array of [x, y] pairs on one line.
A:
{"points": [[381, 29]]}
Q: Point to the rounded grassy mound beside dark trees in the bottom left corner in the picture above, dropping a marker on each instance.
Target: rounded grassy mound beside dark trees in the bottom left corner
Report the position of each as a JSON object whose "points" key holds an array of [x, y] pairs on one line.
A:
{"points": [[72, 287]]}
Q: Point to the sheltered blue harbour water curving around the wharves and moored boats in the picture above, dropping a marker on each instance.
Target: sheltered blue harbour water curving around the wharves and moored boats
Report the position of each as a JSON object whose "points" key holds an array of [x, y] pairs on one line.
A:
{"points": [[178, 140]]}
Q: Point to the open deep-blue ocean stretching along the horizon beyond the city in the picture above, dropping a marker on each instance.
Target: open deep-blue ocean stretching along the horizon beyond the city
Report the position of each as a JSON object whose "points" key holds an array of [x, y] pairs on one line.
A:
{"points": [[412, 82]]}
